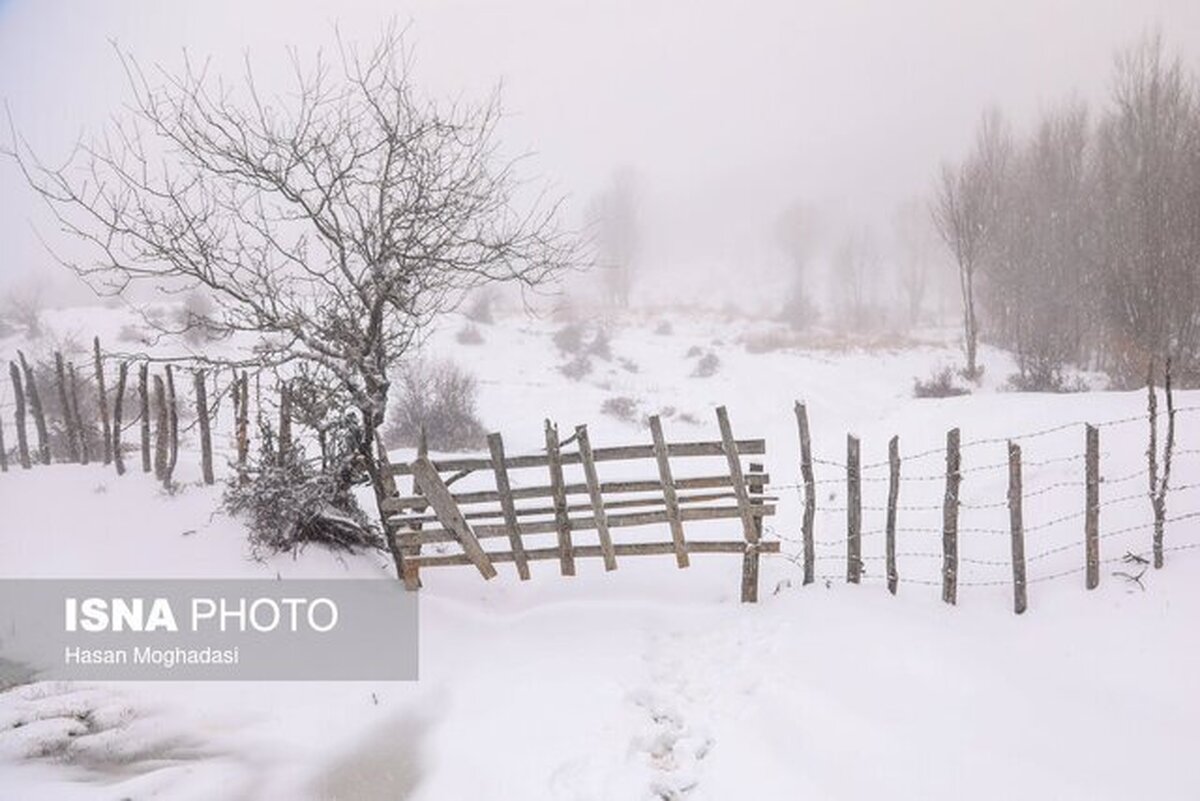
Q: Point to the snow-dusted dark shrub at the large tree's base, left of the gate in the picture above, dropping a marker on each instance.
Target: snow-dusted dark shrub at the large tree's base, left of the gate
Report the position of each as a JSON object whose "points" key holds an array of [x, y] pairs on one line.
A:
{"points": [[289, 502]]}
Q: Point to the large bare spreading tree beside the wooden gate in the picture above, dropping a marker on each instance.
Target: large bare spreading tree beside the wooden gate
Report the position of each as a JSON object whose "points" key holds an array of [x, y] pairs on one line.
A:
{"points": [[332, 222]]}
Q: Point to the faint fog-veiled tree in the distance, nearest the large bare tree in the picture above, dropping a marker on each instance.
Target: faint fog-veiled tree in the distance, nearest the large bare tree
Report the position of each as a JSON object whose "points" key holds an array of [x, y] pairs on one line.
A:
{"points": [[613, 219]]}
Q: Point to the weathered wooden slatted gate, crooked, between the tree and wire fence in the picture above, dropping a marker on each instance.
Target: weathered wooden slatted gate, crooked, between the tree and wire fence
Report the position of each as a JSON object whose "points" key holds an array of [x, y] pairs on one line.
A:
{"points": [[555, 505]]}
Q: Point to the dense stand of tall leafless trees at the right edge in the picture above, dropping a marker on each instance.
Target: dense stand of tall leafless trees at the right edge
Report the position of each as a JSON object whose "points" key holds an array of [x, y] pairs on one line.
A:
{"points": [[1079, 243]]}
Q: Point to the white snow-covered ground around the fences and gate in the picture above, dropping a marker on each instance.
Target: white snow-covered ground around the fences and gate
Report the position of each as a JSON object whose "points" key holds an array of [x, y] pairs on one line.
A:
{"points": [[653, 683]]}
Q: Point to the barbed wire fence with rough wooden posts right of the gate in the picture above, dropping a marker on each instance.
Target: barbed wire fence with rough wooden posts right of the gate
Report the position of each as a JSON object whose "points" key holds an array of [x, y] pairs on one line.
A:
{"points": [[1067, 544]]}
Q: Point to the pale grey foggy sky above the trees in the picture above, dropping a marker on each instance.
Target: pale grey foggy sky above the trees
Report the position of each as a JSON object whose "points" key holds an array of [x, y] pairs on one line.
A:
{"points": [[727, 111]]}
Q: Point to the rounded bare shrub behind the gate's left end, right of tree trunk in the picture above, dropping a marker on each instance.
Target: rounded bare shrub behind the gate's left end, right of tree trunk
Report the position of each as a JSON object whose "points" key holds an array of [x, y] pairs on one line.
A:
{"points": [[441, 399]]}
